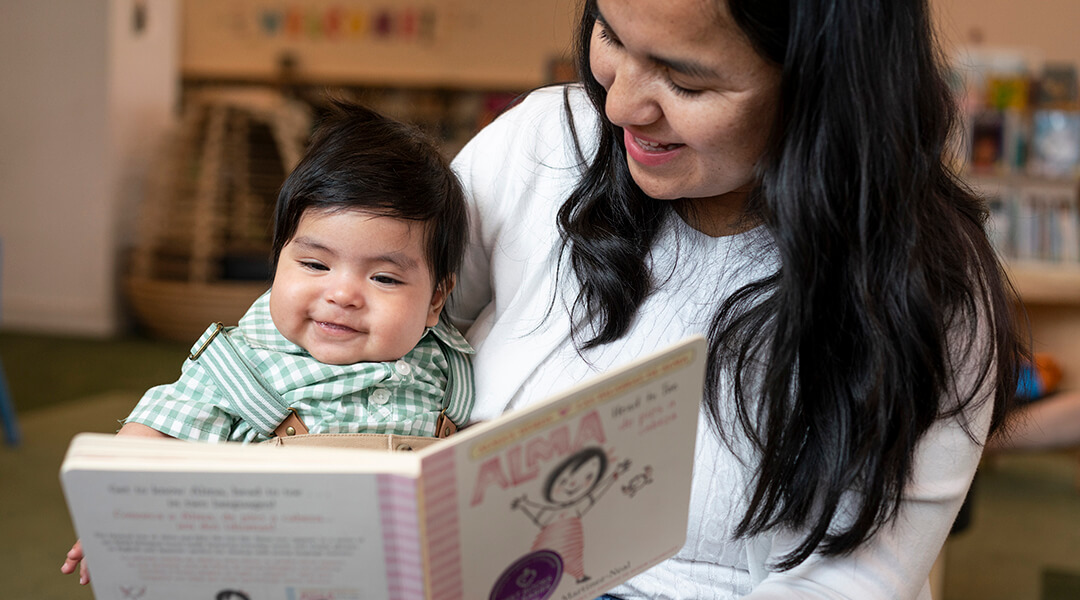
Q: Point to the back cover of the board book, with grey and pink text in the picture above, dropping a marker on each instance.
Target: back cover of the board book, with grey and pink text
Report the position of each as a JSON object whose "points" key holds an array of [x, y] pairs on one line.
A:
{"points": [[178, 535]]}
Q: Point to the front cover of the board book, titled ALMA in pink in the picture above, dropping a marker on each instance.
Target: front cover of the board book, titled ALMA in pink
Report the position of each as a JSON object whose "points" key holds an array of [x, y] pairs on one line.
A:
{"points": [[568, 499]]}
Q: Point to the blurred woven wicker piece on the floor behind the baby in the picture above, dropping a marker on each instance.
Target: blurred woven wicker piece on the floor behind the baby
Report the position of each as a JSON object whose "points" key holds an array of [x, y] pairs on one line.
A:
{"points": [[204, 240]]}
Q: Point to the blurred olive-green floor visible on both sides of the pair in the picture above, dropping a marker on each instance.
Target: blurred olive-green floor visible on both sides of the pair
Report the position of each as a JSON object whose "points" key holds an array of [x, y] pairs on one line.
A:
{"points": [[1023, 542]]}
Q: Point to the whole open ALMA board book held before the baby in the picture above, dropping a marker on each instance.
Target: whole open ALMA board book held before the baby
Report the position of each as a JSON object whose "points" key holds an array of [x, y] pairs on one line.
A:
{"points": [[563, 500]]}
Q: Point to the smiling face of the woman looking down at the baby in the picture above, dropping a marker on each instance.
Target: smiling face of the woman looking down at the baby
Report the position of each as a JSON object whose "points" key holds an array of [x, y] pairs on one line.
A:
{"points": [[697, 104]]}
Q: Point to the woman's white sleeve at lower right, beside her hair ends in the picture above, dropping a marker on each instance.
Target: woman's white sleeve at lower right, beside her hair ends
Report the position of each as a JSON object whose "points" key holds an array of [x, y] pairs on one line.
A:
{"points": [[896, 563]]}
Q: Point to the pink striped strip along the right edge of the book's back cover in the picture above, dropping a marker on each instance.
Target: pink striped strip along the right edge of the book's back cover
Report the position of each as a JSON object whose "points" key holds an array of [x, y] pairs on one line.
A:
{"points": [[399, 508]]}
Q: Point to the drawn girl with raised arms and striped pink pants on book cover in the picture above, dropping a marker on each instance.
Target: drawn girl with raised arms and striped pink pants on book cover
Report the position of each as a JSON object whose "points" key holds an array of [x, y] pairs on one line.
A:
{"points": [[572, 489]]}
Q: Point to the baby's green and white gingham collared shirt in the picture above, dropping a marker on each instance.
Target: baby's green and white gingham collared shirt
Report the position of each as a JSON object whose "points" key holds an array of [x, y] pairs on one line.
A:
{"points": [[403, 397]]}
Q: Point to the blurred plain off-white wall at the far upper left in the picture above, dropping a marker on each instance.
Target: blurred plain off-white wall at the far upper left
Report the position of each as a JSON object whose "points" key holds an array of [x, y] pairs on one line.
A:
{"points": [[84, 98]]}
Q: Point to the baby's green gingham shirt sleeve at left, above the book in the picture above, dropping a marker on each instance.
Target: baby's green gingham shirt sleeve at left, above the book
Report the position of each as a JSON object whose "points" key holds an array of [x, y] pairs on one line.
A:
{"points": [[193, 408]]}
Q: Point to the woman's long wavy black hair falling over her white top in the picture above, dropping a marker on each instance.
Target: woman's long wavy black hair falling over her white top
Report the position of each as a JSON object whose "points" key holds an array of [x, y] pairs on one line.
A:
{"points": [[885, 269]]}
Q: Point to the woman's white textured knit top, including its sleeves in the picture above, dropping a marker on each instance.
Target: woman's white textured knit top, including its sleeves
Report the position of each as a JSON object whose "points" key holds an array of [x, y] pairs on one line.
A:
{"points": [[517, 173]]}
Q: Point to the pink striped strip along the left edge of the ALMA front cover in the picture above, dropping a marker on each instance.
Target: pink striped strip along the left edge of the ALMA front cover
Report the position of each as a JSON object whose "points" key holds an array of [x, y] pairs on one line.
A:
{"points": [[443, 546]]}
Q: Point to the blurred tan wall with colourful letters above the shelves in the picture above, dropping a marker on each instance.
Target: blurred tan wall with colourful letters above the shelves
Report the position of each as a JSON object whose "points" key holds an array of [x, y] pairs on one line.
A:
{"points": [[470, 44]]}
